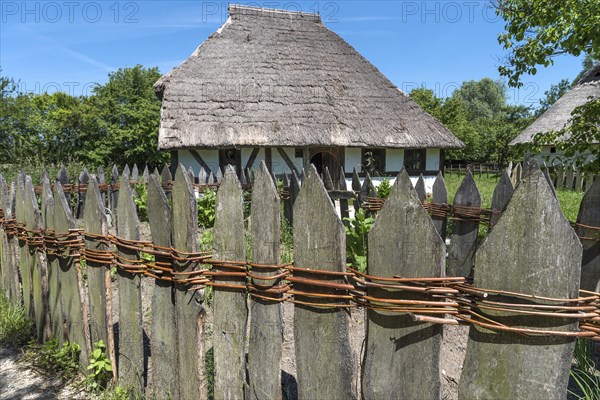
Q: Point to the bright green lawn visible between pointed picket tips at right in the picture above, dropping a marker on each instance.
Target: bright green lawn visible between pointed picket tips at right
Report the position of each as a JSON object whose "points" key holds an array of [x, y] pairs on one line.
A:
{"points": [[569, 200]]}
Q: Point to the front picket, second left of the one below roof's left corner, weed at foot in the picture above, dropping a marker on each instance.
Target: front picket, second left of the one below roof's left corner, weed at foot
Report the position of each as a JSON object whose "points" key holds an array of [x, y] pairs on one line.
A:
{"points": [[95, 223]]}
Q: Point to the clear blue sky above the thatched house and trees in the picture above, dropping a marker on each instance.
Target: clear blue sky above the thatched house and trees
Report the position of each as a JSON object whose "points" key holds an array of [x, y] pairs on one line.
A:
{"points": [[70, 45]]}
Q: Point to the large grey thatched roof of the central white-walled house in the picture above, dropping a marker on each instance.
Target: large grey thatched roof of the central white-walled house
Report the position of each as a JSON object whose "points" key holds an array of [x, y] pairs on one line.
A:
{"points": [[280, 78]]}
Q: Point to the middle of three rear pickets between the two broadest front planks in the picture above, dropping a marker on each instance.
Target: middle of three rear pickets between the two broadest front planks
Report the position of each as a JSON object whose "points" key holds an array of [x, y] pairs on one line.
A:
{"points": [[463, 241]]}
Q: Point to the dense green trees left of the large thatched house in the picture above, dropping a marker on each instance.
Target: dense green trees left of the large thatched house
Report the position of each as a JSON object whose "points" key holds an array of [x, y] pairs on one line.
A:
{"points": [[117, 124]]}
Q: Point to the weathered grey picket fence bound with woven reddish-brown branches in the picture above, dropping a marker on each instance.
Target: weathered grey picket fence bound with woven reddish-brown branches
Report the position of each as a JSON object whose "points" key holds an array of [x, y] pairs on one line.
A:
{"points": [[518, 290]]}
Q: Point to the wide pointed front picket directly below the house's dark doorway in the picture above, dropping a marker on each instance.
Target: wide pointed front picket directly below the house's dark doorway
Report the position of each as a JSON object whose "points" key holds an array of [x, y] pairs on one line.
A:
{"points": [[323, 358]]}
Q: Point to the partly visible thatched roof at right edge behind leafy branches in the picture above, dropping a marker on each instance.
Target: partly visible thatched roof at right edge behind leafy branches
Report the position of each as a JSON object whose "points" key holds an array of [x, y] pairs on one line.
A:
{"points": [[559, 114]]}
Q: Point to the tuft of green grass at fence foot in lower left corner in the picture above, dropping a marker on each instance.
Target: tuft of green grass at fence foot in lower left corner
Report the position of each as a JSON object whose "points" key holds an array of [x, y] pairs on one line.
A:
{"points": [[15, 327]]}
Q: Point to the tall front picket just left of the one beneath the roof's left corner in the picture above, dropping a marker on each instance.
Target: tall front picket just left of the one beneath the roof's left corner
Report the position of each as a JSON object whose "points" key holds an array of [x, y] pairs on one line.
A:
{"points": [[130, 354]]}
